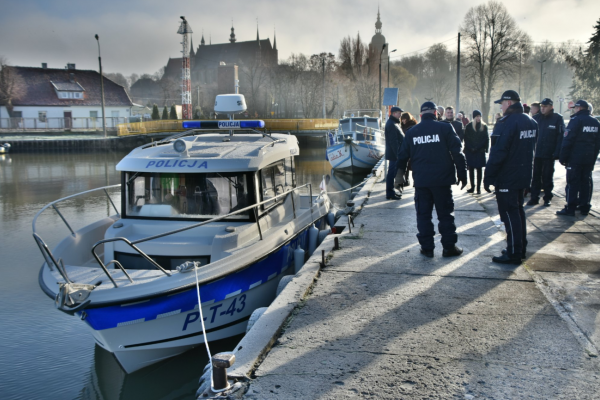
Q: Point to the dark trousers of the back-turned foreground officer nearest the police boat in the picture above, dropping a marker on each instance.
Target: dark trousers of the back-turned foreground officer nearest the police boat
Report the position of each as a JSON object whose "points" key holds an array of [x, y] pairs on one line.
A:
{"points": [[425, 199]]}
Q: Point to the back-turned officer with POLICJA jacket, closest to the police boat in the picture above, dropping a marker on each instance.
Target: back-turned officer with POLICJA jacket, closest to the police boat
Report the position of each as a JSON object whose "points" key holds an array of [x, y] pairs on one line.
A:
{"points": [[434, 149]]}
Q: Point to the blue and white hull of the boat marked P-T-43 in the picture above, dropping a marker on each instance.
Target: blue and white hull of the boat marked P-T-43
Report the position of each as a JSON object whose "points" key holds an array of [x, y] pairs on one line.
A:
{"points": [[146, 332]]}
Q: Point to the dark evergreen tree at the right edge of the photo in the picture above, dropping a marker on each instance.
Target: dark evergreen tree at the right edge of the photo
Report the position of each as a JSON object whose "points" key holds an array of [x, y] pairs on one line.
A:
{"points": [[586, 80]]}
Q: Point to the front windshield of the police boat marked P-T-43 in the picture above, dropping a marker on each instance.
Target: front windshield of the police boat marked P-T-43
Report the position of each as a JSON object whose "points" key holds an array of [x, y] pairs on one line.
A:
{"points": [[193, 196]]}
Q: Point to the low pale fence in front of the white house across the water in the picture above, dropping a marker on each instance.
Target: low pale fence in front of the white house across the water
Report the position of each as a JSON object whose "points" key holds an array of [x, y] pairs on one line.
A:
{"points": [[76, 123]]}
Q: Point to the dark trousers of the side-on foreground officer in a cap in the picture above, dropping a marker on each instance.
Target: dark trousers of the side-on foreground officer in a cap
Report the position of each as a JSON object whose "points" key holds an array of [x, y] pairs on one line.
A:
{"points": [[510, 208]]}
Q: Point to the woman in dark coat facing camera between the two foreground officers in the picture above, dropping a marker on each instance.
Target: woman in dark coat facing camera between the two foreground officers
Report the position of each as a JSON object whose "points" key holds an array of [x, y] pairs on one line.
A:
{"points": [[477, 143]]}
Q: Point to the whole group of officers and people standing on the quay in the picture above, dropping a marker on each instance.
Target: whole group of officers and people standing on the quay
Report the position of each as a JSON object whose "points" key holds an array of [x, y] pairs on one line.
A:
{"points": [[522, 155]]}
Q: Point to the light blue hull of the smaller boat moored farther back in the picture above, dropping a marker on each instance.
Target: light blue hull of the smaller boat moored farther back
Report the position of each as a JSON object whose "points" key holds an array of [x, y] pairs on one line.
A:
{"points": [[354, 156]]}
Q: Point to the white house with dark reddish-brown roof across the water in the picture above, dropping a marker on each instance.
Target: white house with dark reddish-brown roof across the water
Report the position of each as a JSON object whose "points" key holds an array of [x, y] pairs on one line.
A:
{"points": [[66, 98]]}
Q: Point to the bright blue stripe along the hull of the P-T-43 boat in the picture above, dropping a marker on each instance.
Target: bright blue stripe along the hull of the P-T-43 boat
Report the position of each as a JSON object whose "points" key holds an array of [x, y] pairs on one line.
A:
{"points": [[239, 282]]}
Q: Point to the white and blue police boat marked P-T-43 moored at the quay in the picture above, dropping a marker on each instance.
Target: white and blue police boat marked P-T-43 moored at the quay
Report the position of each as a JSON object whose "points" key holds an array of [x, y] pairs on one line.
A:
{"points": [[221, 211]]}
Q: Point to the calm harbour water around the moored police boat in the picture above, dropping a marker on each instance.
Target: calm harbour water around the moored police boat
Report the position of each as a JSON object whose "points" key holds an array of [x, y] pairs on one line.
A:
{"points": [[47, 354]]}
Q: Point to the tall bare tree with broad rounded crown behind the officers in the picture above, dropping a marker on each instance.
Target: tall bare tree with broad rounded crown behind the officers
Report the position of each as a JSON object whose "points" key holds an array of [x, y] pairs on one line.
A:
{"points": [[492, 48]]}
